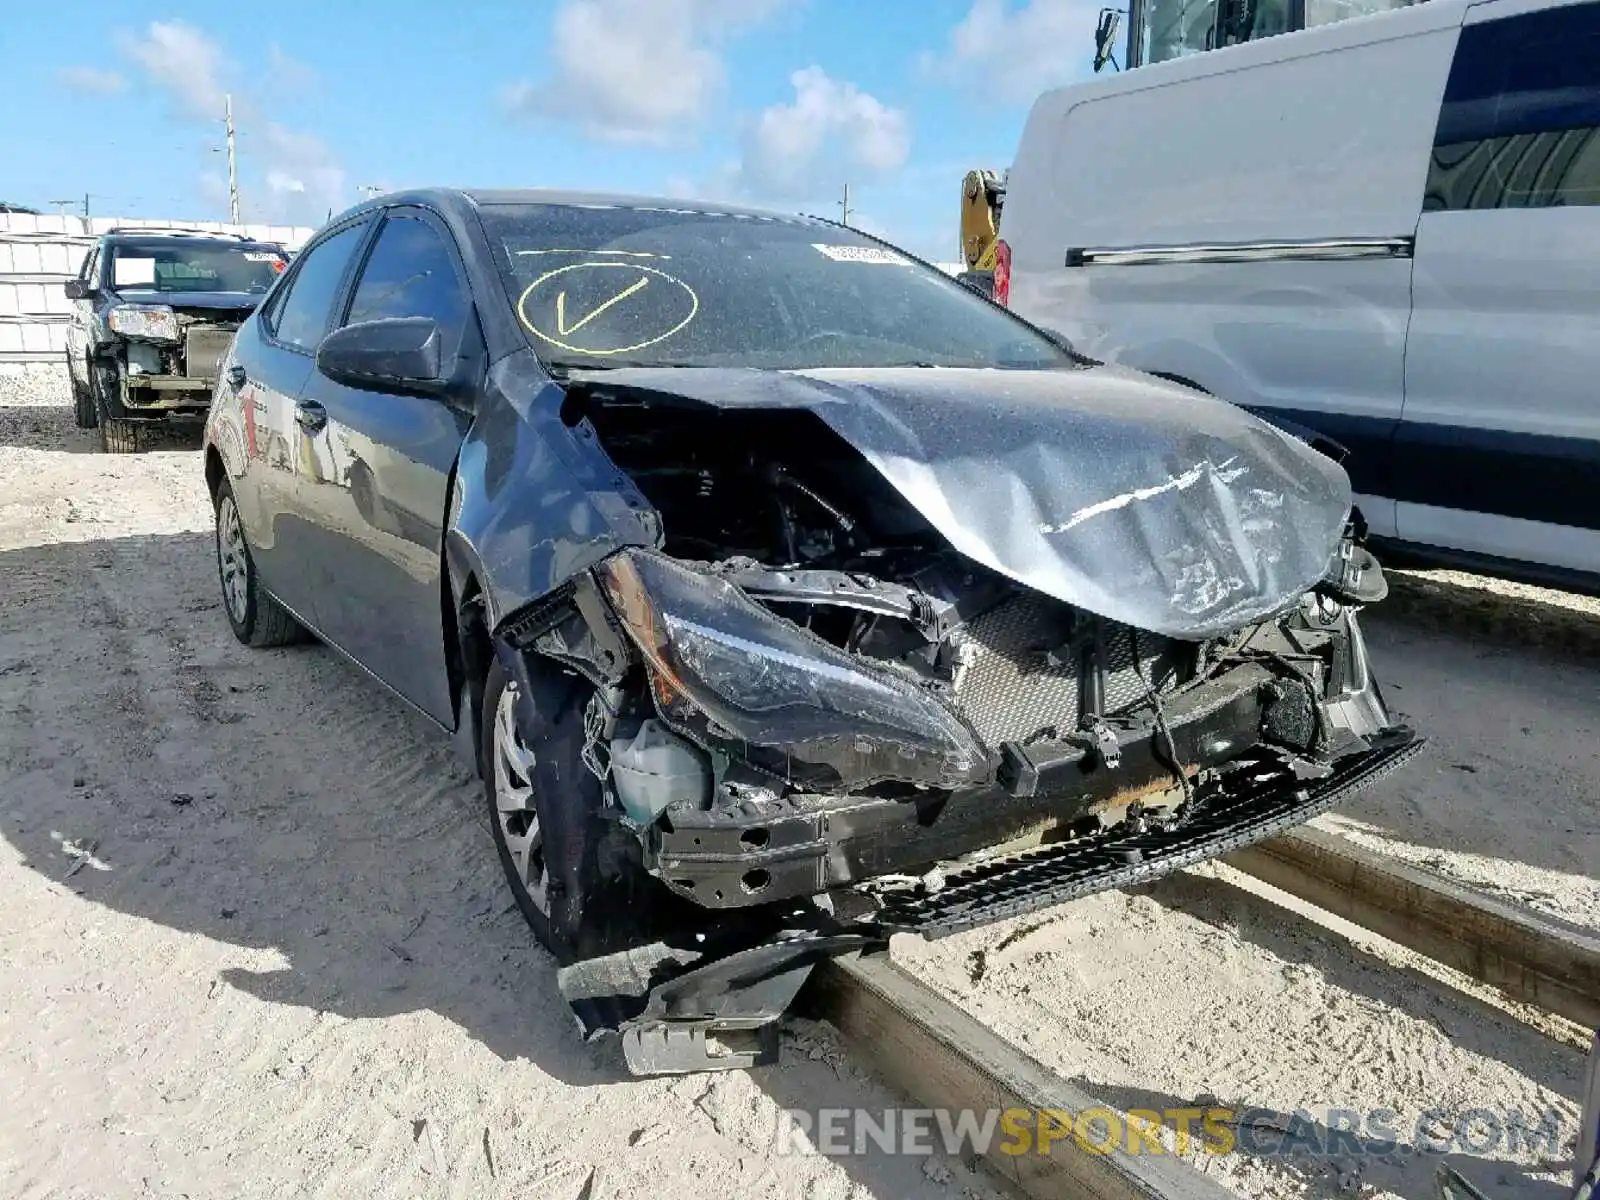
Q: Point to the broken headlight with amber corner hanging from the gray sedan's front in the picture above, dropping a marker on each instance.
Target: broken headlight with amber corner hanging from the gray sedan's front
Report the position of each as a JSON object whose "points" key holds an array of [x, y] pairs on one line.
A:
{"points": [[777, 697]]}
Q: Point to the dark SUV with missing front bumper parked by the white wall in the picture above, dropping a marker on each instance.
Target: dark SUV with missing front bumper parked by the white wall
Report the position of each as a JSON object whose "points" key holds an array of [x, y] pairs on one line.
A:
{"points": [[154, 313]]}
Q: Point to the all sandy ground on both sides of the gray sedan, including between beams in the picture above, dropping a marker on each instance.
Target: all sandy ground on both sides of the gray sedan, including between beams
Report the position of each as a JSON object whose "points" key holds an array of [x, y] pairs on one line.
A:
{"points": [[255, 942]]}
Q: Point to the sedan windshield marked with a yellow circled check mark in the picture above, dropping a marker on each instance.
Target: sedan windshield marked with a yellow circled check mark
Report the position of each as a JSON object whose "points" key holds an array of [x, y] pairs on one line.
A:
{"points": [[647, 287]]}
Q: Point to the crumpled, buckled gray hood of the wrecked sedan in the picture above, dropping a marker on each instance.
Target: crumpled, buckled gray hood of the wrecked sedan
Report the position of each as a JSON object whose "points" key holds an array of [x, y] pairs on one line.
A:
{"points": [[1106, 489]]}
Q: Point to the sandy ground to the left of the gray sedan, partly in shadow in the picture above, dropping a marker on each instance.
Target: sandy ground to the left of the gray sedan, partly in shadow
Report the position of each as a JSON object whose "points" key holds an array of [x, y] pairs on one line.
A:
{"points": [[254, 937]]}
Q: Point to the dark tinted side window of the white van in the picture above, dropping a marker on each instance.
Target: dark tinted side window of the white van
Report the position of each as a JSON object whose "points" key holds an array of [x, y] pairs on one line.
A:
{"points": [[1521, 122]]}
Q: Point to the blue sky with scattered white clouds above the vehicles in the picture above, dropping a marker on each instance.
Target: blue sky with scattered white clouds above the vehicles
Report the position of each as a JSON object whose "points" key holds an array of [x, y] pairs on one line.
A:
{"points": [[769, 102]]}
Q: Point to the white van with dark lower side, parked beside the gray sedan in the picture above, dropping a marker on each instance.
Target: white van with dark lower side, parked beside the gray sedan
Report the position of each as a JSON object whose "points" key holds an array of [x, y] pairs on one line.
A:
{"points": [[1385, 230]]}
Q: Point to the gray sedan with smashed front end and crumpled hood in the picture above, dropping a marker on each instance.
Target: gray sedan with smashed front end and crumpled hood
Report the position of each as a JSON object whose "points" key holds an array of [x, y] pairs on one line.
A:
{"points": [[785, 593]]}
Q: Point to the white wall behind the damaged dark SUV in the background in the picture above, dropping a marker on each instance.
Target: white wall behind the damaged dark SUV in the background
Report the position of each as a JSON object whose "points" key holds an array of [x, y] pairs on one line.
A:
{"points": [[39, 254]]}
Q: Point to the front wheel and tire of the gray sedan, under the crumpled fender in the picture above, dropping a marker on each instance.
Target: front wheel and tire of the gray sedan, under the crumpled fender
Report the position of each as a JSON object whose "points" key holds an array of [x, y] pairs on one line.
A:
{"points": [[534, 761]]}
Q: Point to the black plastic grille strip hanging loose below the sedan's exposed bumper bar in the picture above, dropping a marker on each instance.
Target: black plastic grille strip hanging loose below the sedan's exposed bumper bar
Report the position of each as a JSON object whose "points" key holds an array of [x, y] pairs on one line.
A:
{"points": [[1038, 879]]}
